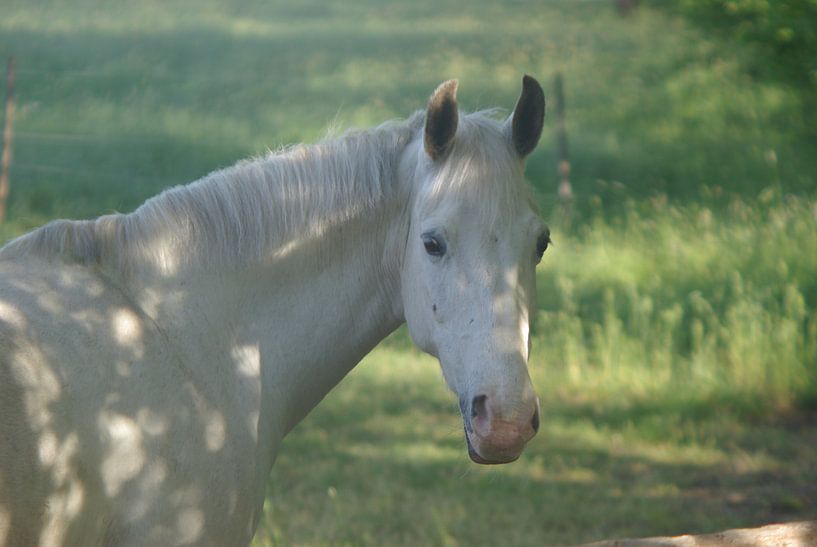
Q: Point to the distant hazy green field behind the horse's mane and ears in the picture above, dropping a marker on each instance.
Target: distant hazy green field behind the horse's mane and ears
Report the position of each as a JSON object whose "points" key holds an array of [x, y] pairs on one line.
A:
{"points": [[654, 106]]}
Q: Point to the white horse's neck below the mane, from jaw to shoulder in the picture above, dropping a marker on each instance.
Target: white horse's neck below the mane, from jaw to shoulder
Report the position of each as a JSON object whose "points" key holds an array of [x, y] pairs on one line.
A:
{"points": [[297, 319]]}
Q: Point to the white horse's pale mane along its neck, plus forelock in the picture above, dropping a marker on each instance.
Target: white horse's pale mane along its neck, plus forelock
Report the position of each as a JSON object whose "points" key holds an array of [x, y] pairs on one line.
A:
{"points": [[244, 210]]}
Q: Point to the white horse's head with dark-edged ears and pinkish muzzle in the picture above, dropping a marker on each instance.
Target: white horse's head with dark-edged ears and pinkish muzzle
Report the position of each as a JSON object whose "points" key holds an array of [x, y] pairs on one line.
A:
{"points": [[468, 274]]}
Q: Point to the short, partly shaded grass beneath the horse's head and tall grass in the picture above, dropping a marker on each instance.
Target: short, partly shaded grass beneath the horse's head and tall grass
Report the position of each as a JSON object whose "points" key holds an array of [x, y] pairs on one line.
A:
{"points": [[383, 462]]}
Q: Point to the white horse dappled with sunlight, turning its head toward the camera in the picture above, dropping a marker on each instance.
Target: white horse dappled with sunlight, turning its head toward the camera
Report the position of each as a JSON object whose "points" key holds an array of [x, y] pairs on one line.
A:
{"points": [[152, 362]]}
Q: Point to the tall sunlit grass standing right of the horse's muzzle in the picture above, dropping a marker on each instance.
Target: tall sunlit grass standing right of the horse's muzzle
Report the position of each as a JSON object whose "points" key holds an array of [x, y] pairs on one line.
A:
{"points": [[684, 300]]}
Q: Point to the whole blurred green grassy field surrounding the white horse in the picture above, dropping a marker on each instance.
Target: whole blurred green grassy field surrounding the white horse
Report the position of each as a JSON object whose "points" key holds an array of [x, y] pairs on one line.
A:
{"points": [[675, 342]]}
